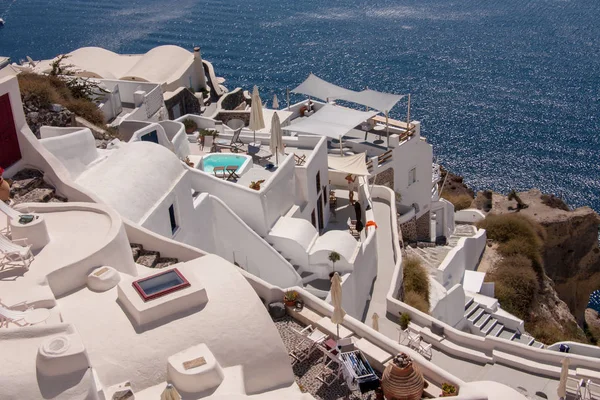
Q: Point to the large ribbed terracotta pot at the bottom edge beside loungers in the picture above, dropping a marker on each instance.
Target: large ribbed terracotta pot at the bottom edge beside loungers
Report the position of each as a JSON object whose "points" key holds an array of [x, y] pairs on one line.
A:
{"points": [[402, 383]]}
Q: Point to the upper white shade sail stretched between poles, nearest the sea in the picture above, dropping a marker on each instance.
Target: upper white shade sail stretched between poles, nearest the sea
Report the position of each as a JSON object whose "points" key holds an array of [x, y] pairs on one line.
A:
{"points": [[321, 89]]}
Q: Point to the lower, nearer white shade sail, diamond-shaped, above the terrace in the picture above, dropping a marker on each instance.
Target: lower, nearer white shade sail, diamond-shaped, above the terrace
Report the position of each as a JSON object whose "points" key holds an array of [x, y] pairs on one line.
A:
{"points": [[331, 121]]}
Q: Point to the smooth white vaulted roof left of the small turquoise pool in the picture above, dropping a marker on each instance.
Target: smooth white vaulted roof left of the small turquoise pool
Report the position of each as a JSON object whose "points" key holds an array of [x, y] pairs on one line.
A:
{"points": [[134, 178]]}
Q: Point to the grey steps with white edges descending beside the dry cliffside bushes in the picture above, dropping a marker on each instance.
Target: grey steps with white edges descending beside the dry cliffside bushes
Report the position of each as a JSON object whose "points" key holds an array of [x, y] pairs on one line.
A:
{"points": [[484, 323]]}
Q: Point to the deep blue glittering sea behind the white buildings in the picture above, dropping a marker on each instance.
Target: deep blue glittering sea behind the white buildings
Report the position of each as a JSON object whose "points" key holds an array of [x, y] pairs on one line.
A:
{"points": [[508, 92]]}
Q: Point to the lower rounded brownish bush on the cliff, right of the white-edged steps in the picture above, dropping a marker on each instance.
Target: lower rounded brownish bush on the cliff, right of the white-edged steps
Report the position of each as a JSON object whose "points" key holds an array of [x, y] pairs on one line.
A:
{"points": [[516, 285]]}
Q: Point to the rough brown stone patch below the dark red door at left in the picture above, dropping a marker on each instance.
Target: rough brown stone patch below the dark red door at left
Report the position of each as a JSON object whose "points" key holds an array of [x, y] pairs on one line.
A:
{"points": [[28, 186]]}
